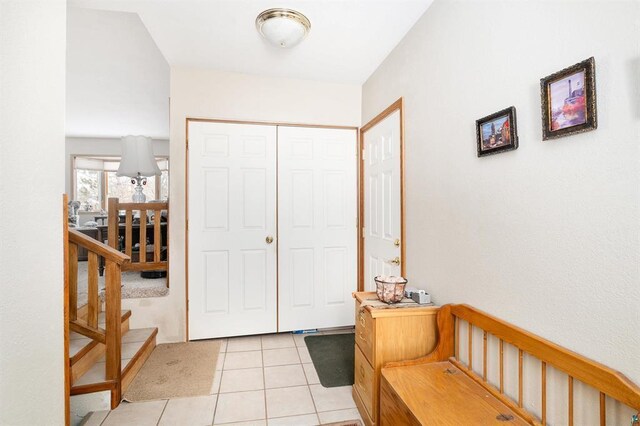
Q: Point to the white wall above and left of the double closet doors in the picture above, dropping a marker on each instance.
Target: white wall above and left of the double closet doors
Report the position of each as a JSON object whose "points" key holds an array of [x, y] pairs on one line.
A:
{"points": [[212, 94]]}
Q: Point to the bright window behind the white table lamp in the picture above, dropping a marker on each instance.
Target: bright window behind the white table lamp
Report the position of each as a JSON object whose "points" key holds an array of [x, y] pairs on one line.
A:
{"points": [[95, 181]]}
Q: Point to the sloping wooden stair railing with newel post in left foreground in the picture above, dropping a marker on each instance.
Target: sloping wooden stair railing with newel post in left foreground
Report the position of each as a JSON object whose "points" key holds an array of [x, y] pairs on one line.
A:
{"points": [[110, 335]]}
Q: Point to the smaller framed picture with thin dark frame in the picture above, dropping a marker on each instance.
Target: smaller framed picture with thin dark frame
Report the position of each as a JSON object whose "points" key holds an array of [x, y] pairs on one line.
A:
{"points": [[497, 132]]}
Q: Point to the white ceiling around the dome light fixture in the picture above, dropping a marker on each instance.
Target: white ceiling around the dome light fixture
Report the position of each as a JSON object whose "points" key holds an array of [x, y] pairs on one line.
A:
{"points": [[347, 42]]}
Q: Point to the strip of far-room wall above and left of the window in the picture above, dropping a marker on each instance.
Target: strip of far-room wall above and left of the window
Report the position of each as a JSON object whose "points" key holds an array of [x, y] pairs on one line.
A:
{"points": [[99, 146]]}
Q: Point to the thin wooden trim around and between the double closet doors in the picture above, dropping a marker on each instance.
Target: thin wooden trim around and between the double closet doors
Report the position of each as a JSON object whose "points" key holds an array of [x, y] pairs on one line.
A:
{"points": [[186, 193]]}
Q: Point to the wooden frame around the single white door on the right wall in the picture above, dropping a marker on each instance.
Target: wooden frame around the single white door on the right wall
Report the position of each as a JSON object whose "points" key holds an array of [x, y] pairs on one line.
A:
{"points": [[396, 106]]}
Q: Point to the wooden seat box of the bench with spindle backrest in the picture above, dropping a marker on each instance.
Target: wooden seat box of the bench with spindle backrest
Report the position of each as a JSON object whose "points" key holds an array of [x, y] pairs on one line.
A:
{"points": [[433, 393]]}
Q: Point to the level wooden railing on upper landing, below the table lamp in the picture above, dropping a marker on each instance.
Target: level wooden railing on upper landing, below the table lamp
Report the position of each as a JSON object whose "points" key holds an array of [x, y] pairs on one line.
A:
{"points": [[142, 263]]}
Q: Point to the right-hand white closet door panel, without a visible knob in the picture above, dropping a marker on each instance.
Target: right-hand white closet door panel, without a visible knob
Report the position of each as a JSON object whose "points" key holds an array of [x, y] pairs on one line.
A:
{"points": [[317, 227]]}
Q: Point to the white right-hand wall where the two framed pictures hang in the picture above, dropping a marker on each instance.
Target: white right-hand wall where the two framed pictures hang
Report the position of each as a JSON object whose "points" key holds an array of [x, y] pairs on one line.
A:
{"points": [[547, 236]]}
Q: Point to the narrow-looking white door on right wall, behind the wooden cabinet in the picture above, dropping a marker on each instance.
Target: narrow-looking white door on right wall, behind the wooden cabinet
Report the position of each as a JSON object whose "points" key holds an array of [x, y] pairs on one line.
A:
{"points": [[382, 204]]}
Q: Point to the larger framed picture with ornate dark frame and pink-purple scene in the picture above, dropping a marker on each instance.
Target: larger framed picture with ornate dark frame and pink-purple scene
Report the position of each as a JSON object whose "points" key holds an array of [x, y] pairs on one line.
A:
{"points": [[569, 101]]}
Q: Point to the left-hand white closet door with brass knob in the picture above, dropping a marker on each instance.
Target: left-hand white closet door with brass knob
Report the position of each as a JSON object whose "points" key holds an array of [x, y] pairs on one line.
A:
{"points": [[232, 211]]}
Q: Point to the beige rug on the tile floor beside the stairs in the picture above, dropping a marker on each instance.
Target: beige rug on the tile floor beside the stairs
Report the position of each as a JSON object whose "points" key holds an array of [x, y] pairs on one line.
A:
{"points": [[176, 370]]}
